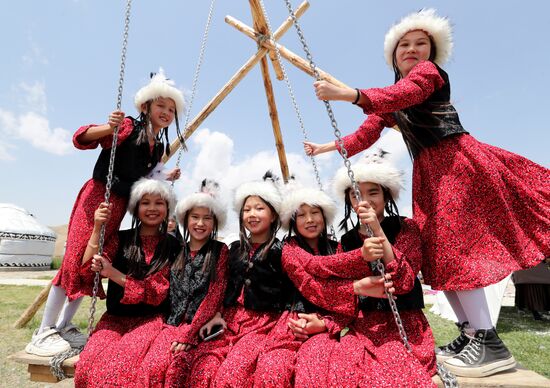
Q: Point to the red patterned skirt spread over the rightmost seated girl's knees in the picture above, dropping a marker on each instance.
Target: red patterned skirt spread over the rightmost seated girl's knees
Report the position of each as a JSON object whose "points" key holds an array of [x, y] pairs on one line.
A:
{"points": [[364, 357]]}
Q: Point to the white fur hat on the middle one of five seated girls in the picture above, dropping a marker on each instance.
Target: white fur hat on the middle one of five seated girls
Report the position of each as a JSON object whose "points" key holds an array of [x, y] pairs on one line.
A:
{"points": [[268, 189]]}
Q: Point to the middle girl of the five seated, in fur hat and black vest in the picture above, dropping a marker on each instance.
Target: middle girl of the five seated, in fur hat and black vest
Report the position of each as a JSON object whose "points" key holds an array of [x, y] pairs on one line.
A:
{"points": [[256, 291]]}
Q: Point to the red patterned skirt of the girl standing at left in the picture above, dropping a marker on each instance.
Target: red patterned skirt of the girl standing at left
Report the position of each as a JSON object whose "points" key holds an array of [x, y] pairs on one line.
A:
{"points": [[80, 229]]}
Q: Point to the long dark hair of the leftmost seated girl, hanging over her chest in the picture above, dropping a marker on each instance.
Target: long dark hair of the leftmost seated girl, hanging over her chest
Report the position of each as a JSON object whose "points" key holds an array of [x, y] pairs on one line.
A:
{"points": [[133, 250]]}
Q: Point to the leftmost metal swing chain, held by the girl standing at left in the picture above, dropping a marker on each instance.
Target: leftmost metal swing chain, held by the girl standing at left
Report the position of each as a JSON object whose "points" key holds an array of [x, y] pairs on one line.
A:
{"points": [[111, 160]]}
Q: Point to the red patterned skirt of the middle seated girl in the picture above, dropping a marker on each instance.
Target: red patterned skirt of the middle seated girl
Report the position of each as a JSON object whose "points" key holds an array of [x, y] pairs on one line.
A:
{"points": [[231, 360]]}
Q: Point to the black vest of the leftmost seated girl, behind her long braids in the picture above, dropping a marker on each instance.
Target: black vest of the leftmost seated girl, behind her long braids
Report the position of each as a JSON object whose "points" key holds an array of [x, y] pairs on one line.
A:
{"points": [[115, 292]]}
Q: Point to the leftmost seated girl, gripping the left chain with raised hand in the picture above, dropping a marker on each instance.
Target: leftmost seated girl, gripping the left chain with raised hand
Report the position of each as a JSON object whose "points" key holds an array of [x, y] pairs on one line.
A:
{"points": [[137, 296]]}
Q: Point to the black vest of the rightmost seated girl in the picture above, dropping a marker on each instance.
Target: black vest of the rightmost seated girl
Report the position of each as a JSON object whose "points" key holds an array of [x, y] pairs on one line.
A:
{"points": [[412, 300]]}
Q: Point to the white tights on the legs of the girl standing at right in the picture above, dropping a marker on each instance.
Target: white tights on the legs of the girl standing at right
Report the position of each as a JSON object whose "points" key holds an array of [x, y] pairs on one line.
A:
{"points": [[471, 306]]}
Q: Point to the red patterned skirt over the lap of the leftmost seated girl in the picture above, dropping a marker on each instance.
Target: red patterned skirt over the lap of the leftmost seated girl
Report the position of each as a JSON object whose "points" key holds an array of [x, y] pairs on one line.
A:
{"points": [[114, 352]]}
